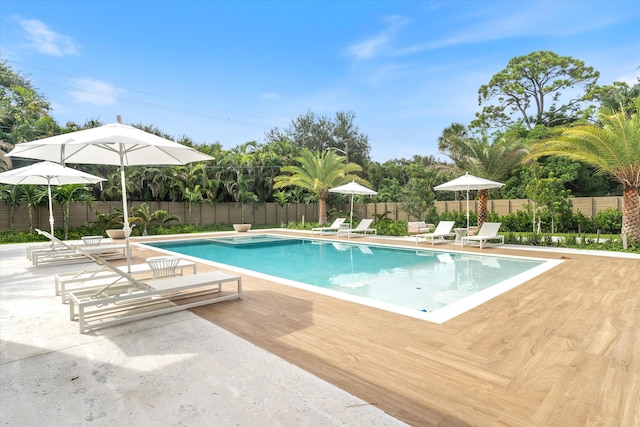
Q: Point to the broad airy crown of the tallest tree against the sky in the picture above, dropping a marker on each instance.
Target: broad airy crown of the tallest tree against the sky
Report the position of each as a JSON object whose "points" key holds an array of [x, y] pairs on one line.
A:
{"points": [[539, 88]]}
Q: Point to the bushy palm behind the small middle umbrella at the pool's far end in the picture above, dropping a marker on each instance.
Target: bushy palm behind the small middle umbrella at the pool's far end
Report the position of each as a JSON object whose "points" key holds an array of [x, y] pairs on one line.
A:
{"points": [[318, 172]]}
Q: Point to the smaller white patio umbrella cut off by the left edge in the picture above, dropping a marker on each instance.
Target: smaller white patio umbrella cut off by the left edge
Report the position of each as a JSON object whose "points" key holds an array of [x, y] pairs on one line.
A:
{"points": [[47, 173]]}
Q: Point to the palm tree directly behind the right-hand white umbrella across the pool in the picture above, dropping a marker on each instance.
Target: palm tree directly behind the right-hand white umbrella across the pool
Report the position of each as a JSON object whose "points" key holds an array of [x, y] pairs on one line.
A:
{"points": [[480, 157]]}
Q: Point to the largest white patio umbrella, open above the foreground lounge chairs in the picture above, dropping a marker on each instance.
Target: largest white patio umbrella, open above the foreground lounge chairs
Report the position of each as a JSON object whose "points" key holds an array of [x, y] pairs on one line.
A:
{"points": [[112, 144]]}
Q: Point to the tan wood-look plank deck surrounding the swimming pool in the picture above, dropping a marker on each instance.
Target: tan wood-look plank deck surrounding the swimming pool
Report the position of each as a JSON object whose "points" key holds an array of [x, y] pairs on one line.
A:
{"points": [[561, 349]]}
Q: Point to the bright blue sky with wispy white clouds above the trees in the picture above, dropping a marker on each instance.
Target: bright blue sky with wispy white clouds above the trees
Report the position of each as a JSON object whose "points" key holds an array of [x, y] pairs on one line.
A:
{"points": [[229, 71]]}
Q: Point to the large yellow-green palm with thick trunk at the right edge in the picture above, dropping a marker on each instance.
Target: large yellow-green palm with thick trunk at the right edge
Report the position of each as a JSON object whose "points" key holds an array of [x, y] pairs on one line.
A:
{"points": [[612, 147]]}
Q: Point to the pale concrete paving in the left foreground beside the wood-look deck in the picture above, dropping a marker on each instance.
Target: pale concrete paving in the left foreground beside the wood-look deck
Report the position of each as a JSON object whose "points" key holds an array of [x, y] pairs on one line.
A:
{"points": [[176, 369]]}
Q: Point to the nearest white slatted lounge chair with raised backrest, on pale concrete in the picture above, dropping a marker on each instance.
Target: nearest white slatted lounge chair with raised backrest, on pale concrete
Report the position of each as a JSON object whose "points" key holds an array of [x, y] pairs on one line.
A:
{"points": [[130, 299]]}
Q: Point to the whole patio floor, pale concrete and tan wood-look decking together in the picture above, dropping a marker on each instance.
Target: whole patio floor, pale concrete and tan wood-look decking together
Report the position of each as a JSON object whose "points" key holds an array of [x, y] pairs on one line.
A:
{"points": [[560, 350]]}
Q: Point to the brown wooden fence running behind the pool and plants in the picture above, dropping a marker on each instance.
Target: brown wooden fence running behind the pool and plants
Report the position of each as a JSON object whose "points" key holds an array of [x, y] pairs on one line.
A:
{"points": [[271, 213]]}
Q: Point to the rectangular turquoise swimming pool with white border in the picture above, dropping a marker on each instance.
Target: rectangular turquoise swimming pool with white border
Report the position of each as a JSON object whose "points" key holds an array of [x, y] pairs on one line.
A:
{"points": [[429, 284]]}
